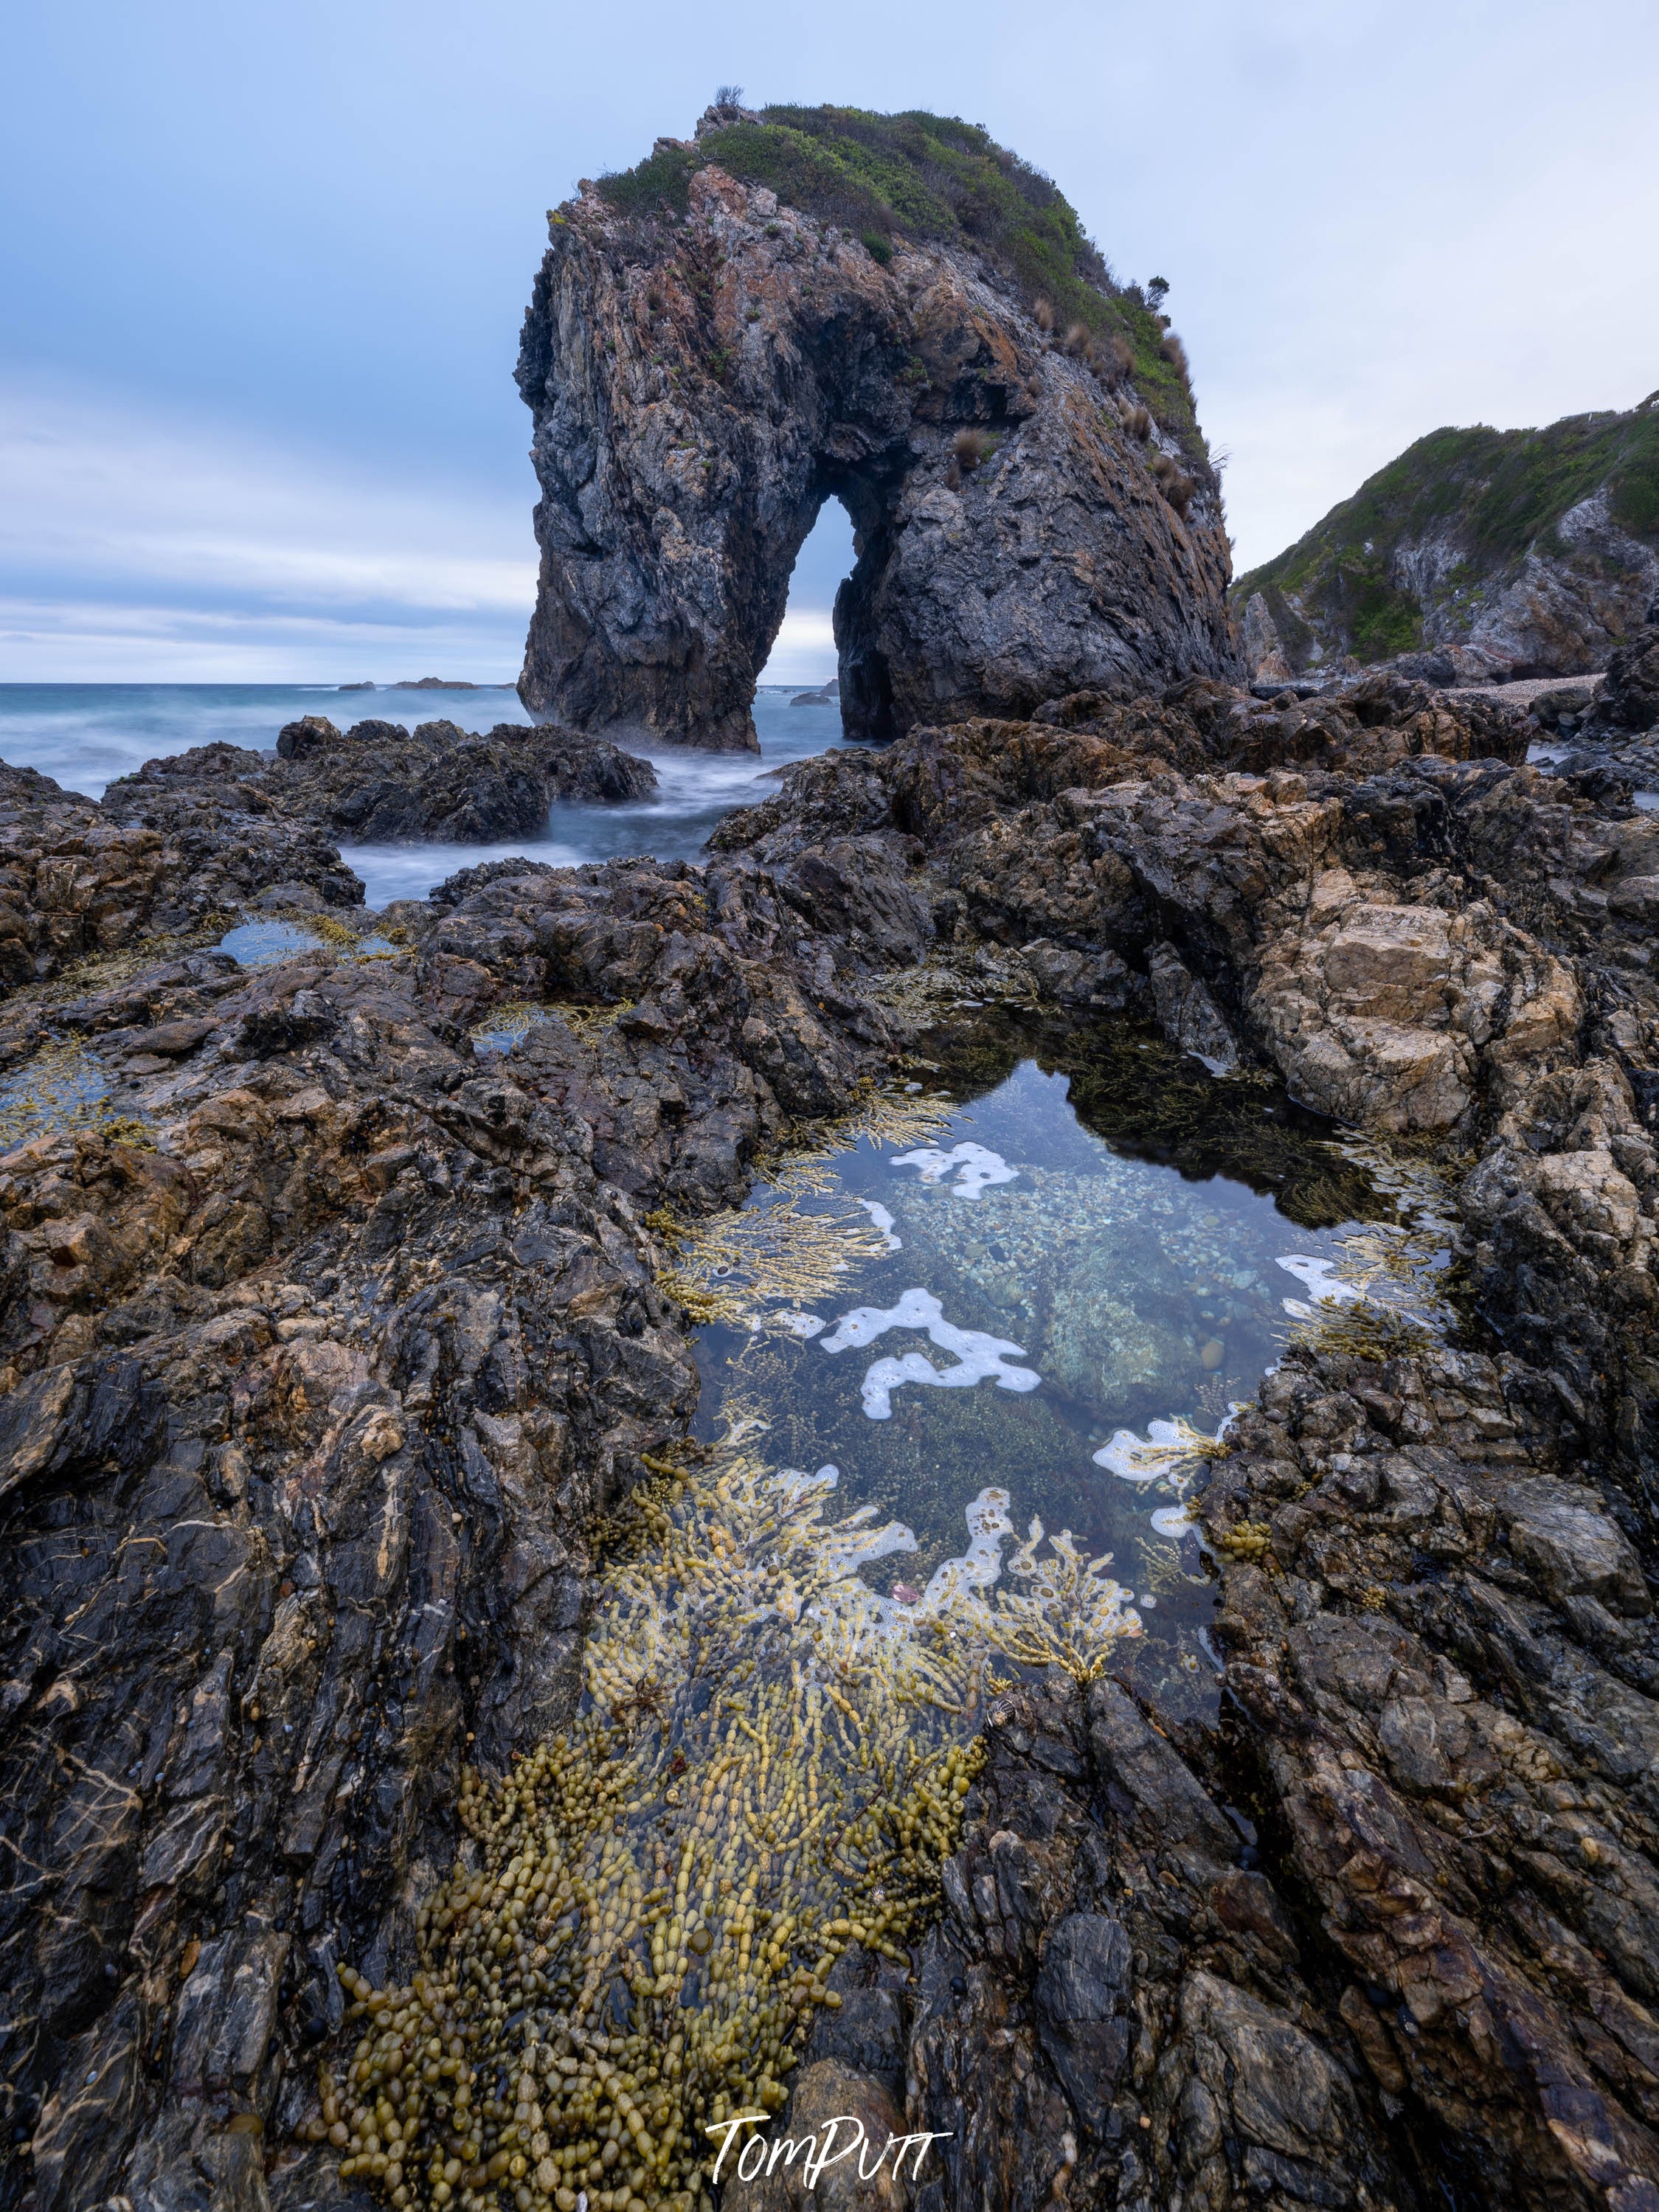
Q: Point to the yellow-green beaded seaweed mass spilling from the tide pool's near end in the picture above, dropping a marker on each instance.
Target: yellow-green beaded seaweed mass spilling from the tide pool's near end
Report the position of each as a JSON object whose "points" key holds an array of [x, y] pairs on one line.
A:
{"points": [[771, 1768]]}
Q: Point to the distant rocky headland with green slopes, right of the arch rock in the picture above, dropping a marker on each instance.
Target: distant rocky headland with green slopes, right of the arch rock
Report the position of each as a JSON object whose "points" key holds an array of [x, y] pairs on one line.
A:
{"points": [[1477, 556]]}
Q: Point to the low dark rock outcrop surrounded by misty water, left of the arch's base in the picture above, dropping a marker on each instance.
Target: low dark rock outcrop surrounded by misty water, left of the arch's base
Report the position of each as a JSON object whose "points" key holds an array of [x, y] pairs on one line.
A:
{"points": [[382, 784]]}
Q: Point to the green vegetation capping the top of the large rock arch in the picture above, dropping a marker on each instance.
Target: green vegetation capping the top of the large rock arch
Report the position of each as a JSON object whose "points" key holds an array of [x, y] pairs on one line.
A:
{"points": [[930, 180]]}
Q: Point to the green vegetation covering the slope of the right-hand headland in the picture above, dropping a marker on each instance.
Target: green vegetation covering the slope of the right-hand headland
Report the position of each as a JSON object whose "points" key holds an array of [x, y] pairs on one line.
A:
{"points": [[1490, 494]]}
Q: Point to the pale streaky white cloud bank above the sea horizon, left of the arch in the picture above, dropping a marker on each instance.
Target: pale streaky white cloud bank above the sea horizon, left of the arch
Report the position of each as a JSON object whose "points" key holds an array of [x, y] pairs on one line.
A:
{"points": [[147, 550]]}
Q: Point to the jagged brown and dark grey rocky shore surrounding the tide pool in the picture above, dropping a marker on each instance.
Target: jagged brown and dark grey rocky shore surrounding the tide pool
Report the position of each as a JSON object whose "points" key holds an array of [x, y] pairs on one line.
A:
{"points": [[328, 1346]]}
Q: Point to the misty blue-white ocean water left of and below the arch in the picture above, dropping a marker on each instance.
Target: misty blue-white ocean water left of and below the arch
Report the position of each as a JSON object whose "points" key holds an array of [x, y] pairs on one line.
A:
{"points": [[85, 735]]}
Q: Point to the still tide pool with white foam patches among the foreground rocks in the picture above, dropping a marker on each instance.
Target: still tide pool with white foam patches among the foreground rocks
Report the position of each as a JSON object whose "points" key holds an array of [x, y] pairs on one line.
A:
{"points": [[1012, 1333]]}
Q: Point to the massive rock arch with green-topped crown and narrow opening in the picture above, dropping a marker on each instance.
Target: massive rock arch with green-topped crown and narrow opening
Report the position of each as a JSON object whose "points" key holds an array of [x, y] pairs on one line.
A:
{"points": [[747, 326]]}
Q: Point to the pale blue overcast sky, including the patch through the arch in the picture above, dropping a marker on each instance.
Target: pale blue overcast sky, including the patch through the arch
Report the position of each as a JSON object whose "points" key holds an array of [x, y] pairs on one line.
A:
{"points": [[262, 271]]}
